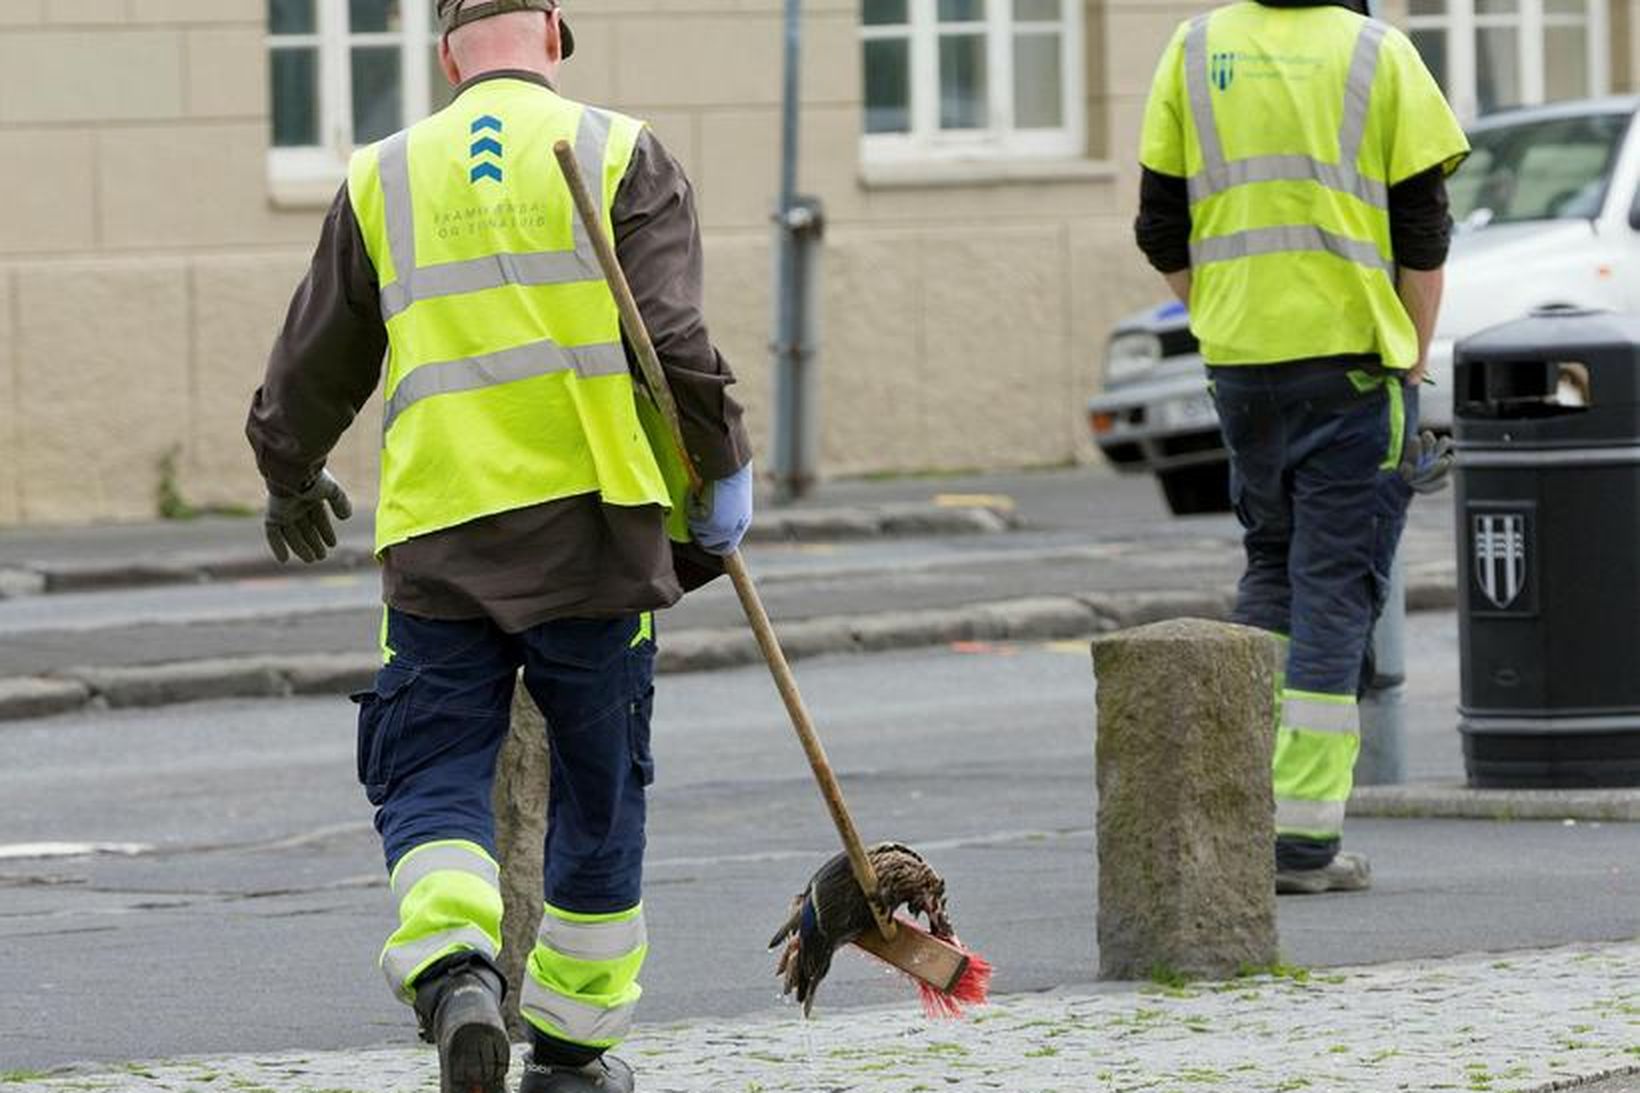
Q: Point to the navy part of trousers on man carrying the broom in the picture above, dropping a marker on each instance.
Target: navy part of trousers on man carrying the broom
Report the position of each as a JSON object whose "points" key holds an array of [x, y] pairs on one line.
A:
{"points": [[435, 721]]}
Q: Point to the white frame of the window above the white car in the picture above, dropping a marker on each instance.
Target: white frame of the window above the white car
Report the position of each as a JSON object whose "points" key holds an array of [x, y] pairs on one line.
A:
{"points": [[1460, 22]]}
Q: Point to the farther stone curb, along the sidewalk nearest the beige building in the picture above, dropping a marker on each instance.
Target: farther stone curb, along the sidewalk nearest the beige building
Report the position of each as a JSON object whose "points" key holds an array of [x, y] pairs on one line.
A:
{"points": [[799, 526]]}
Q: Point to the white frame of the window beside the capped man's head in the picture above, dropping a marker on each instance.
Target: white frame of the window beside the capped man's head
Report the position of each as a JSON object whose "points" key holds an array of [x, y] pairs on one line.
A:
{"points": [[326, 165]]}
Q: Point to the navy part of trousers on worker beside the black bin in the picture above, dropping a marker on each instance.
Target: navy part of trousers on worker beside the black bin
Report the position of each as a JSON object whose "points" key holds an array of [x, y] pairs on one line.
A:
{"points": [[1319, 495]]}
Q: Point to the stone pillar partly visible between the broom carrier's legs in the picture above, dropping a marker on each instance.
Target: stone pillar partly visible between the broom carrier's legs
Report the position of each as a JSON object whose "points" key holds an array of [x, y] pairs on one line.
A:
{"points": [[521, 830]]}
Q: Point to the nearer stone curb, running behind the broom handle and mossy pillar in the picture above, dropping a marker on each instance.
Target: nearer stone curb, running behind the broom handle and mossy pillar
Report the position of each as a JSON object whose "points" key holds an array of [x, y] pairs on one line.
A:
{"points": [[709, 649]]}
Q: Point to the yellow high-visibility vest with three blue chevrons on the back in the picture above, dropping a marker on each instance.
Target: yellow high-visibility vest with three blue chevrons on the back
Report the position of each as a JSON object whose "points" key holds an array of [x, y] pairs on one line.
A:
{"points": [[508, 383]]}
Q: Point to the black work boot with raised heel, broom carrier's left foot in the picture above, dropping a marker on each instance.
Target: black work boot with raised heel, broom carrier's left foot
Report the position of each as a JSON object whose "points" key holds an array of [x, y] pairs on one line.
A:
{"points": [[460, 1005]]}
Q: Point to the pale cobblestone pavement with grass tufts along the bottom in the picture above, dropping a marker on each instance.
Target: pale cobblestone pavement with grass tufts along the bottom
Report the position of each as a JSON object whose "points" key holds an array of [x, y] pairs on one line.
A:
{"points": [[1506, 1023]]}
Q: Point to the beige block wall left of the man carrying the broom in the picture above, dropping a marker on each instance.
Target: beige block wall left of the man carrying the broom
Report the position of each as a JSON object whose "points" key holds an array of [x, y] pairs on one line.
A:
{"points": [[143, 268]]}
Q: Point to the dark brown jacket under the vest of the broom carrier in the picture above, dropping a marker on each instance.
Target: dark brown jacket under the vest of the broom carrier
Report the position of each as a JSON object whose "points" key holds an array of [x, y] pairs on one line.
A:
{"points": [[563, 559]]}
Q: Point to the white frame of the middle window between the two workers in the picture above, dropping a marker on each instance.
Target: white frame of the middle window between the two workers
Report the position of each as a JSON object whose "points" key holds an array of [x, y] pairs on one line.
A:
{"points": [[1000, 140]]}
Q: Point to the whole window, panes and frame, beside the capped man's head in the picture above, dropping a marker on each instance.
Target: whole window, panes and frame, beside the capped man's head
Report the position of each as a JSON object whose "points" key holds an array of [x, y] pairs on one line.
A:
{"points": [[347, 73]]}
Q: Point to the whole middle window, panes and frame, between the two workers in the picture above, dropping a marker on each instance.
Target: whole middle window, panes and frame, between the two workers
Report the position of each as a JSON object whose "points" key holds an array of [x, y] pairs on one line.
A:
{"points": [[973, 78]]}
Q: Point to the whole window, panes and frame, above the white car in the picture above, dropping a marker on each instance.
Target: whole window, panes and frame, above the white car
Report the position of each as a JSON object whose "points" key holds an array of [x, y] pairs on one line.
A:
{"points": [[1490, 55]]}
